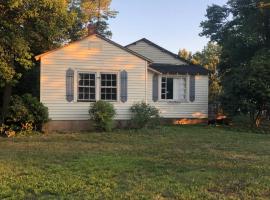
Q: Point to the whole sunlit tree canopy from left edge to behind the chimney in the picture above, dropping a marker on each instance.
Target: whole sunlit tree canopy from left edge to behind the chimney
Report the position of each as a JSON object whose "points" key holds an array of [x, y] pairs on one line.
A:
{"points": [[31, 27]]}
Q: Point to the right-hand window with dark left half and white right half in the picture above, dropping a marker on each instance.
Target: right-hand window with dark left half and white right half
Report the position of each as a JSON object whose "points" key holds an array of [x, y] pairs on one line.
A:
{"points": [[174, 88]]}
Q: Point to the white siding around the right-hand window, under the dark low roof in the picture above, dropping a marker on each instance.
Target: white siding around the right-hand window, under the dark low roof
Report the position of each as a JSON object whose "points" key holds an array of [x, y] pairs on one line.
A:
{"points": [[196, 109]]}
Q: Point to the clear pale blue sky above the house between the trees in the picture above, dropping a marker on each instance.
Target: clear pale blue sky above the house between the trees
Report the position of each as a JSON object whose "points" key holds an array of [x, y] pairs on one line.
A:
{"points": [[173, 24]]}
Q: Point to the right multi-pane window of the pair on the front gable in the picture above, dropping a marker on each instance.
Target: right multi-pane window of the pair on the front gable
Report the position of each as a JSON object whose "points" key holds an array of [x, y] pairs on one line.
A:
{"points": [[108, 86]]}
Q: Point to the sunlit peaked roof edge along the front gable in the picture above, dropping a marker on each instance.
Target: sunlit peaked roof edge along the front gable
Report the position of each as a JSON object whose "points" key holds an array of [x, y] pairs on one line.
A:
{"points": [[38, 57]]}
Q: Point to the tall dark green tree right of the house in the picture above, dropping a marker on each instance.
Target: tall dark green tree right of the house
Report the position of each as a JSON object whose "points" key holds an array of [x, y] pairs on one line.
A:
{"points": [[242, 29]]}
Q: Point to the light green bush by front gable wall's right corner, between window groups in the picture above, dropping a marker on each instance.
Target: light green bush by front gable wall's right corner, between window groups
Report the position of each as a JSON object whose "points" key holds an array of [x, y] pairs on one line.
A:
{"points": [[144, 115]]}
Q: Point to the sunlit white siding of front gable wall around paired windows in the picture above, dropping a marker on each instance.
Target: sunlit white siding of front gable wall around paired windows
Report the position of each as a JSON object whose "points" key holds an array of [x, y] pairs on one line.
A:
{"points": [[102, 56]]}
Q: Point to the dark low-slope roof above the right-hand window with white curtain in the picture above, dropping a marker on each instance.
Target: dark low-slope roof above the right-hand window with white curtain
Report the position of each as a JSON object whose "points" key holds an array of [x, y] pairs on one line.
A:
{"points": [[179, 69]]}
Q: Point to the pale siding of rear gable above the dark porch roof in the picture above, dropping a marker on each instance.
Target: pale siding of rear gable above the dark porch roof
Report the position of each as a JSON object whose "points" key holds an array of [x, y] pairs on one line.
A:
{"points": [[155, 54]]}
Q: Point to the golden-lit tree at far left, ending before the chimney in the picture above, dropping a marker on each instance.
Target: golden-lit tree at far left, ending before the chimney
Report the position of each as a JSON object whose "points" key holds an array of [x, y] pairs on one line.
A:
{"points": [[28, 27]]}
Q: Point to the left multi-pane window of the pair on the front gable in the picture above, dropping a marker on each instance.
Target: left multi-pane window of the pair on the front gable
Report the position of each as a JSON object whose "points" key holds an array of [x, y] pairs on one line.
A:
{"points": [[86, 87]]}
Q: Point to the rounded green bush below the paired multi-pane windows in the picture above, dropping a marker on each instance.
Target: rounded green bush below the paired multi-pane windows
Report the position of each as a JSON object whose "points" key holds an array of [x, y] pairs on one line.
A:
{"points": [[102, 113]]}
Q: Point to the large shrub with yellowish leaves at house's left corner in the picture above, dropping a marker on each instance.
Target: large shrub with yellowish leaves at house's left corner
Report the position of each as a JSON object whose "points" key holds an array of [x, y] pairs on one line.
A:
{"points": [[26, 113]]}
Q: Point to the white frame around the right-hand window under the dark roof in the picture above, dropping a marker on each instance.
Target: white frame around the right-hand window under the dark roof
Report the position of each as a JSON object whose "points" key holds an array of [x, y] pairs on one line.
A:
{"points": [[186, 77]]}
